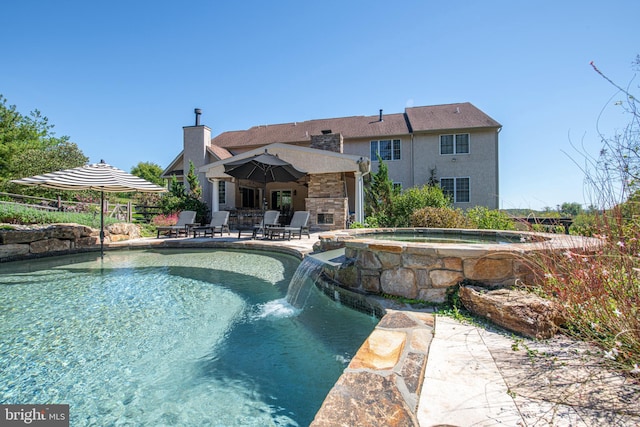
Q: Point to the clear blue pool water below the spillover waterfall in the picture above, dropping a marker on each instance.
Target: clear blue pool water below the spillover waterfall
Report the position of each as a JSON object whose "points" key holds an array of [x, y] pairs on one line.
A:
{"points": [[171, 338]]}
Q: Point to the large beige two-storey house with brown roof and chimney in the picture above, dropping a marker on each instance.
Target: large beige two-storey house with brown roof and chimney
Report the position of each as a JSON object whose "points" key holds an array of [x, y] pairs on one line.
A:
{"points": [[455, 145]]}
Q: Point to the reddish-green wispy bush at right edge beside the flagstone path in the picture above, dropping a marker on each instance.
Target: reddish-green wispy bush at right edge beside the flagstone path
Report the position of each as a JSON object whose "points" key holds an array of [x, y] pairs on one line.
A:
{"points": [[599, 288]]}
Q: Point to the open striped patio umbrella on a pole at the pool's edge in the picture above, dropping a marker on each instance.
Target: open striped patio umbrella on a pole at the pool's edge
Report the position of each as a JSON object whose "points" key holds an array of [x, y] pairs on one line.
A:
{"points": [[98, 176]]}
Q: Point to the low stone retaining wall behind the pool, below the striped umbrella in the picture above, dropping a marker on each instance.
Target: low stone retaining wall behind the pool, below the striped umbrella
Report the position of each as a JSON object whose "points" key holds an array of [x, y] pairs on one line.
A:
{"points": [[23, 242]]}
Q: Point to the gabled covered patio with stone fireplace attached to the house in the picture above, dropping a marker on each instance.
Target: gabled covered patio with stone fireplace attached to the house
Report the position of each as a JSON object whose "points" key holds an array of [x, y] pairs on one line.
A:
{"points": [[332, 189]]}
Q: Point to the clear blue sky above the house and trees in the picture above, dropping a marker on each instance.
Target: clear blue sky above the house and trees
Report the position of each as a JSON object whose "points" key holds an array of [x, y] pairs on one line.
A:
{"points": [[122, 78]]}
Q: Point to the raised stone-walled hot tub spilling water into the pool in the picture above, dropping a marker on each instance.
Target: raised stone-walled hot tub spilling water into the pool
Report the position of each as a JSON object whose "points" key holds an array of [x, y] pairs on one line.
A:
{"points": [[421, 263]]}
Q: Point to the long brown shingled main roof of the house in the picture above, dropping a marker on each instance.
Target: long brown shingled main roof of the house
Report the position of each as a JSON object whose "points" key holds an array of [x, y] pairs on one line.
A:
{"points": [[415, 119]]}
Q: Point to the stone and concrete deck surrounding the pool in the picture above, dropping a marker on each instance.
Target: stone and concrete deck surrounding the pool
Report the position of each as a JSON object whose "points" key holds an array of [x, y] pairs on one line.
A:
{"points": [[421, 369]]}
